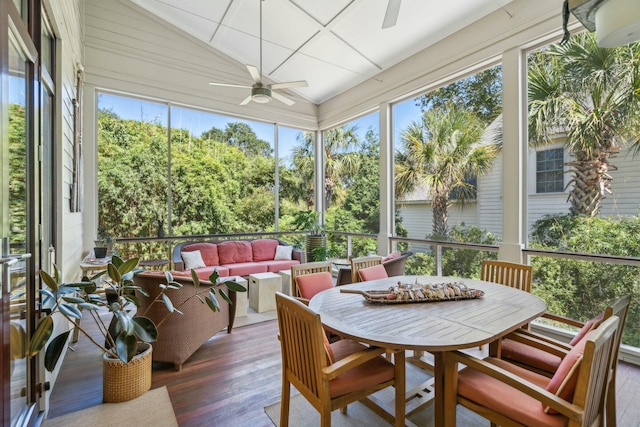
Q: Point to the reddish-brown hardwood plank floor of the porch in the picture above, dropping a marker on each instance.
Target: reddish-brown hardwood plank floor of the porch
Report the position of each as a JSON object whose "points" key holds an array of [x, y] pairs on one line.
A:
{"points": [[230, 380]]}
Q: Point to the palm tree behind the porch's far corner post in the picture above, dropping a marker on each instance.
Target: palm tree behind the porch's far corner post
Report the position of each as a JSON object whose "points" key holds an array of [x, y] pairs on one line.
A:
{"points": [[340, 160]]}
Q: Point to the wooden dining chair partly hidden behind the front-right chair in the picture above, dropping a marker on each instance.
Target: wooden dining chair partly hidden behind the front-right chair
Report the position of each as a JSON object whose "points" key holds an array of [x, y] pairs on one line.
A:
{"points": [[543, 354]]}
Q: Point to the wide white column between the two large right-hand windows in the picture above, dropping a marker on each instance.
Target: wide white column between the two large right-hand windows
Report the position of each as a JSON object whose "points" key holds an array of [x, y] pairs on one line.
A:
{"points": [[514, 169]]}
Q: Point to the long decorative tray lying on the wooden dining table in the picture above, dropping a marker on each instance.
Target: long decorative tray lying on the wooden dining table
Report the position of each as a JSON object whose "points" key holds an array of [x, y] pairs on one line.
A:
{"points": [[404, 293]]}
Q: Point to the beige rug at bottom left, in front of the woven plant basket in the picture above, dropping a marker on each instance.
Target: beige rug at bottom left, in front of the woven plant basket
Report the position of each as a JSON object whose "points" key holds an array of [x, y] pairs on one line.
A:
{"points": [[151, 409]]}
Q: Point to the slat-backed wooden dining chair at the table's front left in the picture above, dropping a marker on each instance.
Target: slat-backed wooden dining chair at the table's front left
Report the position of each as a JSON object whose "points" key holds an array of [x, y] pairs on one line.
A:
{"points": [[332, 375]]}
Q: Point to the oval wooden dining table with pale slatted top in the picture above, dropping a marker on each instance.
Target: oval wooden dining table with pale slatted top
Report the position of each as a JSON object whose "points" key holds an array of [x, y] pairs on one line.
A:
{"points": [[435, 327]]}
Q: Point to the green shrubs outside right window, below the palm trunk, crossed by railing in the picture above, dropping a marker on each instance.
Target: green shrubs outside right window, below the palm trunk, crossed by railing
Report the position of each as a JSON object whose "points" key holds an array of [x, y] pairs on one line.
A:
{"points": [[582, 289]]}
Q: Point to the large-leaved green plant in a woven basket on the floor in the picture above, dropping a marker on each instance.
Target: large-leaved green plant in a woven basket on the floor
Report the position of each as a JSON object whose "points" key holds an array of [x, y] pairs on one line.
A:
{"points": [[125, 339]]}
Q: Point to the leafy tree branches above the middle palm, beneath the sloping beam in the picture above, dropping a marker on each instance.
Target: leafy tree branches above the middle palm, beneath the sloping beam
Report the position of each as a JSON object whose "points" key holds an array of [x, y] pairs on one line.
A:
{"points": [[481, 93]]}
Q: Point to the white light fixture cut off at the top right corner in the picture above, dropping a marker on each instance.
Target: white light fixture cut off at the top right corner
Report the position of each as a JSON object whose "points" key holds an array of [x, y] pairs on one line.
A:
{"points": [[617, 23]]}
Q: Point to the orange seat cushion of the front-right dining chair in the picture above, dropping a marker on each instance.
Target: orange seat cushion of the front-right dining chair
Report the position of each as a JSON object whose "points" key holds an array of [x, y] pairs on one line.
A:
{"points": [[504, 399]]}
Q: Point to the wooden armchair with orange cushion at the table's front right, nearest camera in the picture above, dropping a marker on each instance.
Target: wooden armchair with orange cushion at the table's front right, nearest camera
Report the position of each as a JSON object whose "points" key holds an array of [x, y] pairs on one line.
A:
{"points": [[509, 395]]}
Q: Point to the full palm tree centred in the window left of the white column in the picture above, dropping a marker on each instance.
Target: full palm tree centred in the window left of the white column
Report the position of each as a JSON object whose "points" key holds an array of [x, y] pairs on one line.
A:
{"points": [[442, 154]]}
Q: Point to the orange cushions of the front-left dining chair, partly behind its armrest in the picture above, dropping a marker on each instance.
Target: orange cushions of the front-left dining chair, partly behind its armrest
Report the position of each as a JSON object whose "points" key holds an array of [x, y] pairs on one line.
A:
{"points": [[375, 371]]}
